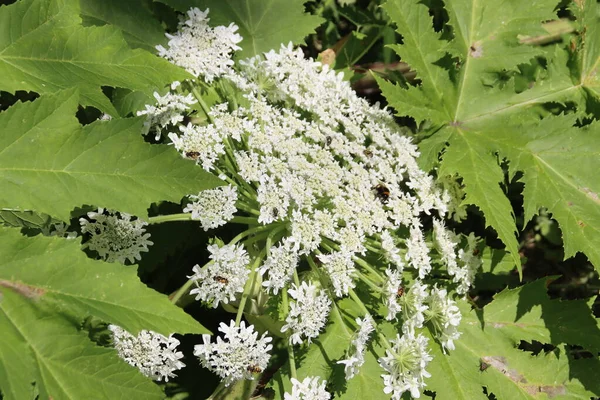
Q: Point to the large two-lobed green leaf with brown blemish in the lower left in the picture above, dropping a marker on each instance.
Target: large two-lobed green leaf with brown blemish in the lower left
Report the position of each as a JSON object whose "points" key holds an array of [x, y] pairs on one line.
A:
{"points": [[47, 287]]}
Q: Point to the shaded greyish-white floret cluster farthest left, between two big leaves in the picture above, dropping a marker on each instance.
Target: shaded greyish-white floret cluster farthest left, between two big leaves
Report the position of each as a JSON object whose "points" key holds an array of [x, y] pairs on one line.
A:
{"points": [[115, 238]]}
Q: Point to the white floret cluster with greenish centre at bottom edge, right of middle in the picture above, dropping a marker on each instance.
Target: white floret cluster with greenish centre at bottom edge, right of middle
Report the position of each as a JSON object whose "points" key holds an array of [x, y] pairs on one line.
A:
{"points": [[405, 365]]}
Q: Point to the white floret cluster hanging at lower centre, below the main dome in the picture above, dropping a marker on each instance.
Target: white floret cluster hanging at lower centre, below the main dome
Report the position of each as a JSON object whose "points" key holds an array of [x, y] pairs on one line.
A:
{"points": [[308, 314]]}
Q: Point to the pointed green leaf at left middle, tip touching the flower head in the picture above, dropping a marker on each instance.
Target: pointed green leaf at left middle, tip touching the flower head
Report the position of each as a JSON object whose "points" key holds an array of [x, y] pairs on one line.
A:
{"points": [[51, 164]]}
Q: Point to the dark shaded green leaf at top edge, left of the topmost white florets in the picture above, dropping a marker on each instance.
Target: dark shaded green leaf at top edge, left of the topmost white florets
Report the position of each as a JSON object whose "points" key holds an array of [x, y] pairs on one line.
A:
{"points": [[134, 18]]}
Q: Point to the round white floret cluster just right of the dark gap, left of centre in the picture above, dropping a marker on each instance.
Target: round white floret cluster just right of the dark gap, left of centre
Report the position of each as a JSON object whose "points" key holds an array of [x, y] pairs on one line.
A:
{"points": [[223, 277]]}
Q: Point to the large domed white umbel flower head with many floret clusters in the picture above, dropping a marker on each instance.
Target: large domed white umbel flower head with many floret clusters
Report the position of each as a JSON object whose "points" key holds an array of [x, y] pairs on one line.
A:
{"points": [[327, 183]]}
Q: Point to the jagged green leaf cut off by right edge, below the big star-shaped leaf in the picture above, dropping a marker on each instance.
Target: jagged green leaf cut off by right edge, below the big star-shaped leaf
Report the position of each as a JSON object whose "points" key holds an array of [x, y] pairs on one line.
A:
{"points": [[560, 164]]}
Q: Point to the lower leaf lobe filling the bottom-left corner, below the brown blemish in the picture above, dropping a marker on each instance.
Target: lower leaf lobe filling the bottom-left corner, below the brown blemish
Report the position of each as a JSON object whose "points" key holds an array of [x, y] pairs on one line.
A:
{"points": [[43, 352]]}
